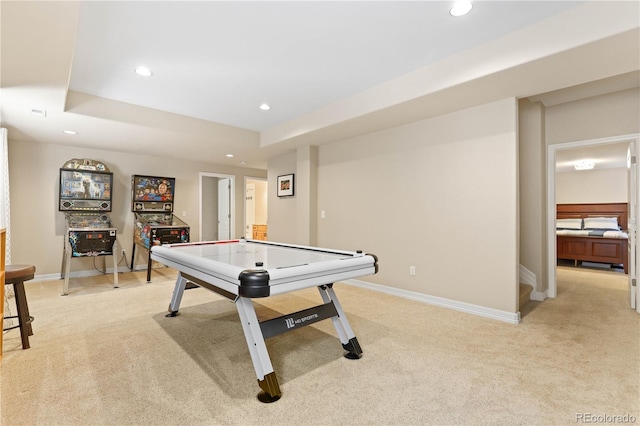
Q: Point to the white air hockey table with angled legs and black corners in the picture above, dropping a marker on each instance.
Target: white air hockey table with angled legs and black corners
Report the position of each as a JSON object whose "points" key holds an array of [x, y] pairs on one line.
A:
{"points": [[242, 270]]}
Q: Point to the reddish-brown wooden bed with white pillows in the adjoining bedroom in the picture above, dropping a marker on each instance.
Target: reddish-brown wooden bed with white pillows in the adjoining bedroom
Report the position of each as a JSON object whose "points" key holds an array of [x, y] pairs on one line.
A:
{"points": [[593, 233]]}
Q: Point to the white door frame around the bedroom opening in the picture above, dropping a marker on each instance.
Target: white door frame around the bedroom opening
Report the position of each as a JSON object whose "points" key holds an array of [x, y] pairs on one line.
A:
{"points": [[552, 285]]}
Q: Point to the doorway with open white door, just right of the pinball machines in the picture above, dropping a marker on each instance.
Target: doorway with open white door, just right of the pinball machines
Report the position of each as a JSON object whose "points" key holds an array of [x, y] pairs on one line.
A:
{"points": [[216, 206]]}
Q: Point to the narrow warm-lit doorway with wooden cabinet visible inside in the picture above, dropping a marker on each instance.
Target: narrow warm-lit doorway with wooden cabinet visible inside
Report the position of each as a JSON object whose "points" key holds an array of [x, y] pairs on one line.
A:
{"points": [[255, 217]]}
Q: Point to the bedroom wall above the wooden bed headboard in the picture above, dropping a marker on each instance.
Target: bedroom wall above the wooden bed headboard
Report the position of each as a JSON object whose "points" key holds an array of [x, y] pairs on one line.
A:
{"points": [[592, 186]]}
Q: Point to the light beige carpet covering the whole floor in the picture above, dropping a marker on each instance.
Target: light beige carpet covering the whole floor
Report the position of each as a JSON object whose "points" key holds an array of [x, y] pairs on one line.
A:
{"points": [[103, 356]]}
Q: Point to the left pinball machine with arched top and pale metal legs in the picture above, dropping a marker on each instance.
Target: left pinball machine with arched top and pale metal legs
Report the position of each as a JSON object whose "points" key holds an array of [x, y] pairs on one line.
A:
{"points": [[86, 188]]}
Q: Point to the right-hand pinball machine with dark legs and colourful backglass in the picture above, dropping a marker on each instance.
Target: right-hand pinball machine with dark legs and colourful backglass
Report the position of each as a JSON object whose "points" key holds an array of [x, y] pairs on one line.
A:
{"points": [[155, 224]]}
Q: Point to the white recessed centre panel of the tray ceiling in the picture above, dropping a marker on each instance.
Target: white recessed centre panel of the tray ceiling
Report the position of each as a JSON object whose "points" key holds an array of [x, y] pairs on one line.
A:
{"points": [[219, 61]]}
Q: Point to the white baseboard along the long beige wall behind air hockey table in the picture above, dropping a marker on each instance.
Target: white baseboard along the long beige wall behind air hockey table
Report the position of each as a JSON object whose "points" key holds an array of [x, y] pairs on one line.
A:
{"points": [[482, 311]]}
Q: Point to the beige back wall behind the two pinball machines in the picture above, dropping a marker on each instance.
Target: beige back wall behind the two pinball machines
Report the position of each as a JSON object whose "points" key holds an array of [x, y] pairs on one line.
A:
{"points": [[38, 227]]}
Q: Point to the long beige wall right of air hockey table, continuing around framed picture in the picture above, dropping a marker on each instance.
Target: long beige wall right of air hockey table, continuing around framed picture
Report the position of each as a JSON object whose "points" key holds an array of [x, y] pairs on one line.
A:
{"points": [[438, 194]]}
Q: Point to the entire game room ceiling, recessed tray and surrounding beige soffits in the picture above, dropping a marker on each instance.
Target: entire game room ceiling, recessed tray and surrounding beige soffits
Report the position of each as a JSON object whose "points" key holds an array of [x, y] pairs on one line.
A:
{"points": [[329, 70]]}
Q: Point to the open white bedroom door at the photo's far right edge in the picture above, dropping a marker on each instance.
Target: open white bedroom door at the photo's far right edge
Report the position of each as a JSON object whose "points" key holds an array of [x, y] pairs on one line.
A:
{"points": [[634, 295]]}
